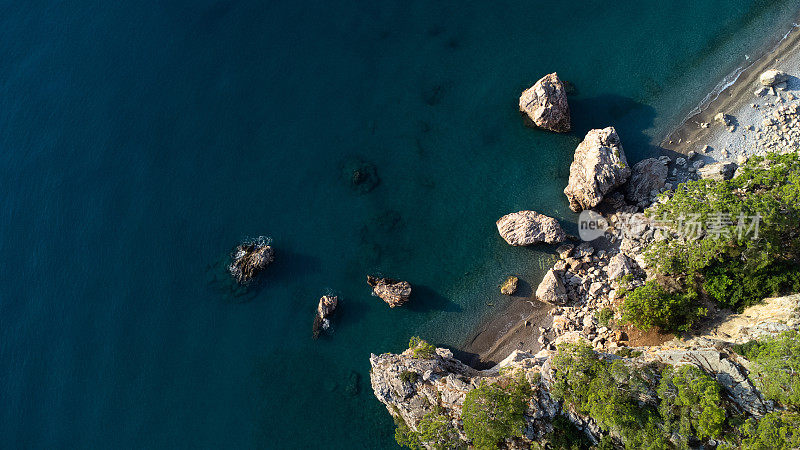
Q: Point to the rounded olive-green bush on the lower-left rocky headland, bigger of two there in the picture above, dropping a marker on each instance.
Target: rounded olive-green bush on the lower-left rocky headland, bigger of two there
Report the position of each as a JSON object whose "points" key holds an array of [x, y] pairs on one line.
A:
{"points": [[493, 412]]}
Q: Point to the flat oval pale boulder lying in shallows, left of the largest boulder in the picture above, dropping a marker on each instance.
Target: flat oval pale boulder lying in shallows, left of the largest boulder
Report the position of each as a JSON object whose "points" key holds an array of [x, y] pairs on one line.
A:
{"points": [[530, 227]]}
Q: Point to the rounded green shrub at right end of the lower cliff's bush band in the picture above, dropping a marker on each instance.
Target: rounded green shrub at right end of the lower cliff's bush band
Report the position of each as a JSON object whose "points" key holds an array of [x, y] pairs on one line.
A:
{"points": [[690, 403]]}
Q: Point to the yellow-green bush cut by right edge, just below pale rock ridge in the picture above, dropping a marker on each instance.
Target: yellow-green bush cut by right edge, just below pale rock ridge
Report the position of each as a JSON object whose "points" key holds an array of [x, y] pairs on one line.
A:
{"points": [[776, 368]]}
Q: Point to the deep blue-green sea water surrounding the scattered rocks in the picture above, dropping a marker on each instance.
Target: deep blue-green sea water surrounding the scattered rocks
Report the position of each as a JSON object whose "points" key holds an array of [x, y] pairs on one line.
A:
{"points": [[141, 141]]}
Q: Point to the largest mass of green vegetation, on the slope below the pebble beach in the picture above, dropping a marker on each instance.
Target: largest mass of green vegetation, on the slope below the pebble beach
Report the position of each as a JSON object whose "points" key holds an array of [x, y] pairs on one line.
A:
{"points": [[735, 241]]}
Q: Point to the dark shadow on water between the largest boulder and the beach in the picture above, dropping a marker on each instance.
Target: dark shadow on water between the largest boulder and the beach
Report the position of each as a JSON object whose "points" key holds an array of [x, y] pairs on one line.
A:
{"points": [[629, 117]]}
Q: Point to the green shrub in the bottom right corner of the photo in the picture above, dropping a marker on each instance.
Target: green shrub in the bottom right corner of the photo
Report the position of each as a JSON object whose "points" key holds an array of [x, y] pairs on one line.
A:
{"points": [[775, 431]]}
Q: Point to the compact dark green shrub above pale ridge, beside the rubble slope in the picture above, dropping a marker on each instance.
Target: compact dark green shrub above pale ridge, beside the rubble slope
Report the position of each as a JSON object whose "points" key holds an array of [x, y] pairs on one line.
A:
{"points": [[651, 306]]}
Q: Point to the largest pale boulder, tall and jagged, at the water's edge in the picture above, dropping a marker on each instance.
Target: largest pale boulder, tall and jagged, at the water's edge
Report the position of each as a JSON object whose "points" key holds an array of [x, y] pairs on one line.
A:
{"points": [[598, 167]]}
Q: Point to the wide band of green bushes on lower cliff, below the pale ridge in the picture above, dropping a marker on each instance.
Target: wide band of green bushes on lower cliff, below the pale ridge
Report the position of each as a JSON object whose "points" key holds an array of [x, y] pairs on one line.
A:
{"points": [[631, 403]]}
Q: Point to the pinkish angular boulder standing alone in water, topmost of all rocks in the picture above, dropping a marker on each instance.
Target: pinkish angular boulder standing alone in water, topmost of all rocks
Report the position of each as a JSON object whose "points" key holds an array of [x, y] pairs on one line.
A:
{"points": [[545, 104]]}
